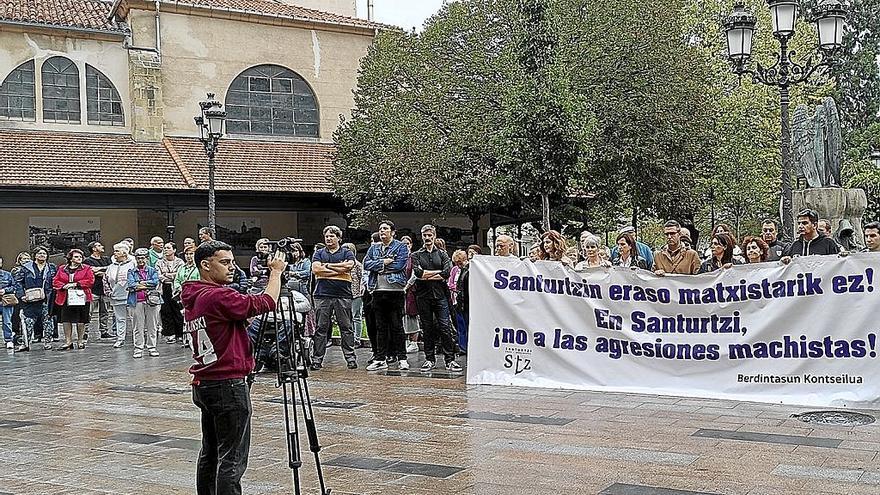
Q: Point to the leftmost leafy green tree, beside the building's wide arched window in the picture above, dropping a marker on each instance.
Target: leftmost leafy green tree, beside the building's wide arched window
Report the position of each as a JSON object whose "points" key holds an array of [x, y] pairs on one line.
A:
{"points": [[423, 131]]}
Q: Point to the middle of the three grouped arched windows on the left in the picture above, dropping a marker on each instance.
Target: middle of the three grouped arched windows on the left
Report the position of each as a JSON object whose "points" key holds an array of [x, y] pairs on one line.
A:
{"points": [[60, 91]]}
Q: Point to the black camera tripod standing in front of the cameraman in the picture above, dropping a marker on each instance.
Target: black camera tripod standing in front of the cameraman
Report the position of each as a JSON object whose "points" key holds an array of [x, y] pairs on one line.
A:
{"points": [[292, 361]]}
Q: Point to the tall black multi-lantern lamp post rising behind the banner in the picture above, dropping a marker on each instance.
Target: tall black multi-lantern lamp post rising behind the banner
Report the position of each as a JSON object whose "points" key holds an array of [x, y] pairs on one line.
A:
{"points": [[785, 72]]}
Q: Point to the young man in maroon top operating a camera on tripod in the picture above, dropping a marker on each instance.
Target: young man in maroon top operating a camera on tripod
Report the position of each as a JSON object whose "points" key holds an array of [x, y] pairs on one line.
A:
{"points": [[216, 319]]}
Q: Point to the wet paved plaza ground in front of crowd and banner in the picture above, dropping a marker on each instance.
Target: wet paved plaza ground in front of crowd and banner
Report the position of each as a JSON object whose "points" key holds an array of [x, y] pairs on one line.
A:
{"points": [[99, 421]]}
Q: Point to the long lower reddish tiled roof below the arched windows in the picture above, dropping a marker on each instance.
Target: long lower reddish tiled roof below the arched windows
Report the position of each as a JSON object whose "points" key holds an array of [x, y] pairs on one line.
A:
{"points": [[66, 160]]}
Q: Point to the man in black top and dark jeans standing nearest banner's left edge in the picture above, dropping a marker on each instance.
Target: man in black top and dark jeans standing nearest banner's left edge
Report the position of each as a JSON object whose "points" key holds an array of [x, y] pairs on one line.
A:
{"points": [[431, 267]]}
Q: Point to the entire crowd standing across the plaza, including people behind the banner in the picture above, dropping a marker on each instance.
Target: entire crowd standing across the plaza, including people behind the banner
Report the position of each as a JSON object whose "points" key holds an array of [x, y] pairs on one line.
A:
{"points": [[401, 295]]}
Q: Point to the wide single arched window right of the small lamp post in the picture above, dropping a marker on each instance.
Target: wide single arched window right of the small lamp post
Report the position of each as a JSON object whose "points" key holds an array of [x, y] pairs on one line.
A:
{"points": [[271, 100]]}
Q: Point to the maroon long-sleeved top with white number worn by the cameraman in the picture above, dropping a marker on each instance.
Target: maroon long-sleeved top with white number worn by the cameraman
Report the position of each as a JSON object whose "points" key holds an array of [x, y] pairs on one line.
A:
{"points": [[216, 320]]}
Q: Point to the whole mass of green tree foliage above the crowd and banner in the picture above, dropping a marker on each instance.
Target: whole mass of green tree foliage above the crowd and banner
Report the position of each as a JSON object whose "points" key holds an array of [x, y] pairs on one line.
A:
{"points": [[629, 104]]}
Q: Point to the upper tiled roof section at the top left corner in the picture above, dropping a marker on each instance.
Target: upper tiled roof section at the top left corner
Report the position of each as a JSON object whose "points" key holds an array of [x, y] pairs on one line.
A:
{"points": [[81, 14]]}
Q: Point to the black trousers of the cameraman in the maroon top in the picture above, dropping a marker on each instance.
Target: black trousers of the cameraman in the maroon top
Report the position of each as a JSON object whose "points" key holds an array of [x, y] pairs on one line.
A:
{"points": [[226, 435]]}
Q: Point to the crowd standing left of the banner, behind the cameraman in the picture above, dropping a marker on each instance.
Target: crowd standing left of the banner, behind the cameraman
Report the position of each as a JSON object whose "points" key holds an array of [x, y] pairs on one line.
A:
{"points": [[401, 295]]}
